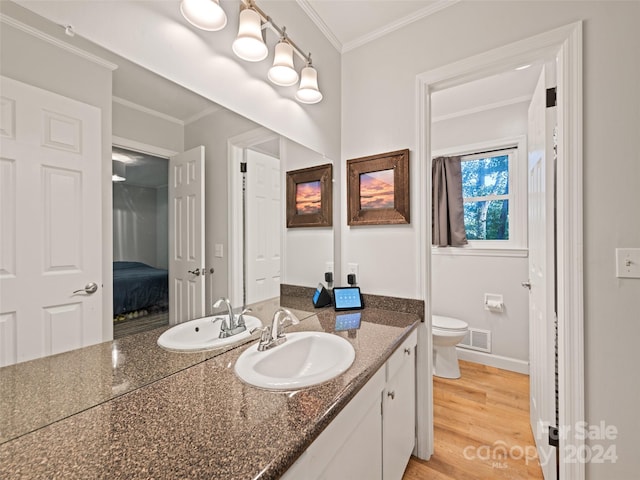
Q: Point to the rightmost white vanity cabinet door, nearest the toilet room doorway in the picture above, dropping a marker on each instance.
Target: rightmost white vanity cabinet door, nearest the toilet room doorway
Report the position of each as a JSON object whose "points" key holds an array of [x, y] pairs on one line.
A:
{"points": [[398, 420]]}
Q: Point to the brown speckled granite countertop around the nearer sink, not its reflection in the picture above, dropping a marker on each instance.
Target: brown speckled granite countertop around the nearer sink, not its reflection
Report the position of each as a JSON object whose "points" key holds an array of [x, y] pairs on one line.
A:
{"points": [[202, 421]]}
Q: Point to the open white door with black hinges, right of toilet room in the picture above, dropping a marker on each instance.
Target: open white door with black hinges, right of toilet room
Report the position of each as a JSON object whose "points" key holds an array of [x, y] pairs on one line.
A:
{"points": [[541, 275]]}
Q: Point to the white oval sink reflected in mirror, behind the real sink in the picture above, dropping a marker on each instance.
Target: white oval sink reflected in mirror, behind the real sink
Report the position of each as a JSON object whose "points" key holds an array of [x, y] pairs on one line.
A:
{"points": [[203, 334]]}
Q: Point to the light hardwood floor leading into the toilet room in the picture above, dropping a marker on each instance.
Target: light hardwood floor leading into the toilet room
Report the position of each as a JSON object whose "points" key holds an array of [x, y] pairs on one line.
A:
{"points": [[482, 431]]}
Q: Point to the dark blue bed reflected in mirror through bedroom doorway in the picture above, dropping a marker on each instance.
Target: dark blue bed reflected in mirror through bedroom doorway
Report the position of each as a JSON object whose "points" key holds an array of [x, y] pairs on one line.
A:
{"points": [[138, 286]]}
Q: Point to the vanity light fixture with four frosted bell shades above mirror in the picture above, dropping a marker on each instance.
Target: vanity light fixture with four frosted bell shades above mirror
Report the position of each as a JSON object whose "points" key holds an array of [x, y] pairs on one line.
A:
{"points": [[250, 44]]}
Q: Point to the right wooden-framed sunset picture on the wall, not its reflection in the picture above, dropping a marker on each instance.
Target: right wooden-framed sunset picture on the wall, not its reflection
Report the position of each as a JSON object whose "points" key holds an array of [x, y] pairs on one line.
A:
{"points": [[378, 189]]}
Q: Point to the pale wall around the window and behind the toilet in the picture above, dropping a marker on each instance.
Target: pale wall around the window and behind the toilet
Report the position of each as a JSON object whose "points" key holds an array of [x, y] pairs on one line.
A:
{"points": [[459, 282]]}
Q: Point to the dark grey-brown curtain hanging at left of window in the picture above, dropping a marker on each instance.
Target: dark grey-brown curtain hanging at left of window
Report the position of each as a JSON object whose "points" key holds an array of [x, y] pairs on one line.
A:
{"points": [[448, 210]]}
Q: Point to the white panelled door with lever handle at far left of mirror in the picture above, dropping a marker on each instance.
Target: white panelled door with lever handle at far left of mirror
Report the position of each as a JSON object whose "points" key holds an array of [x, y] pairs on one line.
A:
{"points": [[50, 223]]}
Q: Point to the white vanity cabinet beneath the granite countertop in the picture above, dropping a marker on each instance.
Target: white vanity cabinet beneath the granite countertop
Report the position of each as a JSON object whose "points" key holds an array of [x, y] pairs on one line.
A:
{"points": [[373, 436]]}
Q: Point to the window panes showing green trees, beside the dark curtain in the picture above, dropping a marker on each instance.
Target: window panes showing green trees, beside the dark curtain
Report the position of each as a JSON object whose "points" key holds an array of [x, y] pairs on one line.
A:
{"points": [[487, 195]]}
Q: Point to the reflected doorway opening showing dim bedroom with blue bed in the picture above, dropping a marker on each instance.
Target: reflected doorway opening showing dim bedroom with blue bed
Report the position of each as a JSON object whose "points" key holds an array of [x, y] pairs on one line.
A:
{"points": [[140, 242]]}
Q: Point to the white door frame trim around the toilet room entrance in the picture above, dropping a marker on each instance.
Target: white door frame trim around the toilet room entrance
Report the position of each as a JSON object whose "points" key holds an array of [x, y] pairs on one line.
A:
{"points": [[564, 45]]}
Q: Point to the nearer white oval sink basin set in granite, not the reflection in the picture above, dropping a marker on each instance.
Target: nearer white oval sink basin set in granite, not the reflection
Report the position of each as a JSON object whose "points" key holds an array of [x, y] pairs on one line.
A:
{"points": [[305, 359]]}
